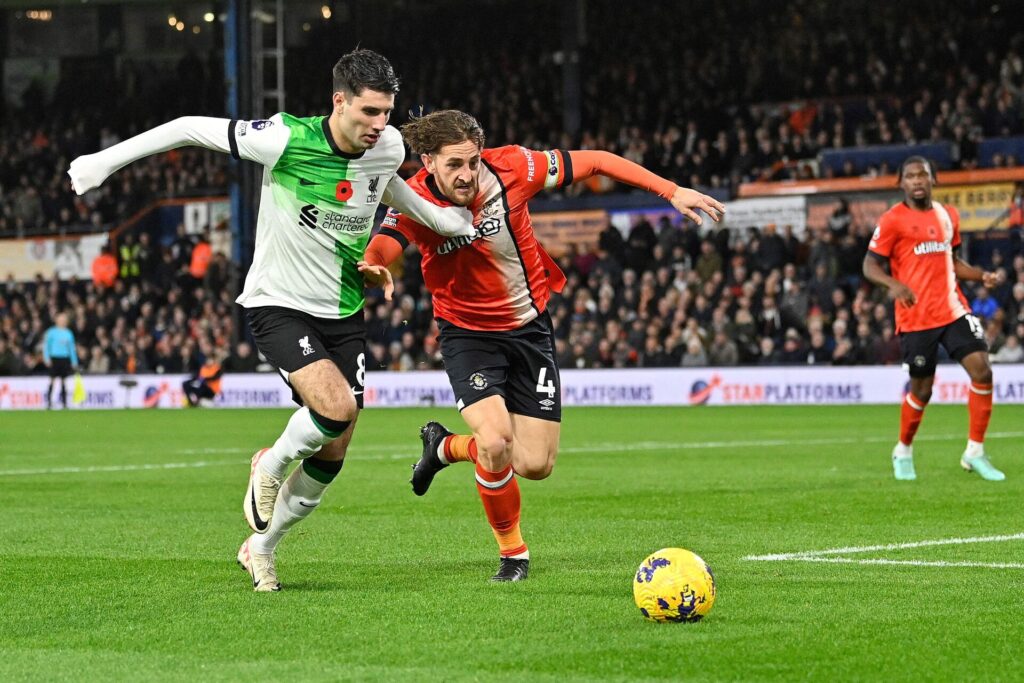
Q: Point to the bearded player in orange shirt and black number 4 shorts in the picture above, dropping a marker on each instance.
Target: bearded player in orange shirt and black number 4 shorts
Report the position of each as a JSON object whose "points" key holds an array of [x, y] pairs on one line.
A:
{"points": [[491, 294]]}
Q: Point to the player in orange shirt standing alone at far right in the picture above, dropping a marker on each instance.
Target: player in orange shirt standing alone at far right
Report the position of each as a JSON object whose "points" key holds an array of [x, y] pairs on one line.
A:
{"points": [[918, 238]]}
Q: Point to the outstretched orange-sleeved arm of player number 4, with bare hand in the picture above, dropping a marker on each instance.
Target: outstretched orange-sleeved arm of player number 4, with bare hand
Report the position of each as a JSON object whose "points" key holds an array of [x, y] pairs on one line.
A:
{"points": [[587, 163]]}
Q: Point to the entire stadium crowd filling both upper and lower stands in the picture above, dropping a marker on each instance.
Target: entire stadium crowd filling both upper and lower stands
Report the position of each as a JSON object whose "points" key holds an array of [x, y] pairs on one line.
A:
{"points": [[660, 296]]}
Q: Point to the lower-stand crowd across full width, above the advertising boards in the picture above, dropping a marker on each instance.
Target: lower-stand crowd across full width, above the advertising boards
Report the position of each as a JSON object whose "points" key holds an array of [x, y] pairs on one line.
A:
{"points": [[660, 296]]}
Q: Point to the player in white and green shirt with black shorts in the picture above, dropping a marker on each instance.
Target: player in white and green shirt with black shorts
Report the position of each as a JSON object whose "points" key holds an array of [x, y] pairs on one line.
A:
{"points": [[324, 180]]}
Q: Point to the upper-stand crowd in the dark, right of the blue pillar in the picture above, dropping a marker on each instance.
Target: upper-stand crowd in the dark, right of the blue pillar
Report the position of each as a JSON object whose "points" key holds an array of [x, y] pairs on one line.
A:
{"points": [[776, 88]]}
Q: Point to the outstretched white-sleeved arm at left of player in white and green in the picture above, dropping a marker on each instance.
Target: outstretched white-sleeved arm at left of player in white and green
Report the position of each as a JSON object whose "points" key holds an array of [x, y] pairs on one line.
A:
{"points": [[90, 172]]}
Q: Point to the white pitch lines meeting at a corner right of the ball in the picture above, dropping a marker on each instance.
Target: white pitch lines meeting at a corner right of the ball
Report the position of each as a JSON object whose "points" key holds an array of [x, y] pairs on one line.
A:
{"points": [[833, 556]]}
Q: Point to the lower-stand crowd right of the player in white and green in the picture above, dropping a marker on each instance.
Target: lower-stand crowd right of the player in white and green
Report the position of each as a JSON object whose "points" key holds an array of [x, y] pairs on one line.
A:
{"points": [[669, 296]]}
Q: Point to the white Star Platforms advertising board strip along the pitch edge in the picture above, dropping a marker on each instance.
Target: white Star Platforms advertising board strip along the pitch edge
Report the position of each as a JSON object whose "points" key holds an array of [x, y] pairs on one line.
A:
{"points": [[665, 387]]}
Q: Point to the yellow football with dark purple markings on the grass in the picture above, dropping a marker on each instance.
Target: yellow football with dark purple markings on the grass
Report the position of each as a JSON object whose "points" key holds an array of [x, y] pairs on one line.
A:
{"points": [[674, 585]]}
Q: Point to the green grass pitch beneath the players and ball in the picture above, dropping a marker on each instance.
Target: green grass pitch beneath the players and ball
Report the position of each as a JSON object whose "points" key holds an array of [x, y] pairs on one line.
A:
{"points": [[119, 533]]}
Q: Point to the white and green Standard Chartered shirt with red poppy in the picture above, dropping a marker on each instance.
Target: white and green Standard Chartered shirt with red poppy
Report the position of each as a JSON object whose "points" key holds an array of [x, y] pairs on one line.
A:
{"points": [[317, 209]]}
